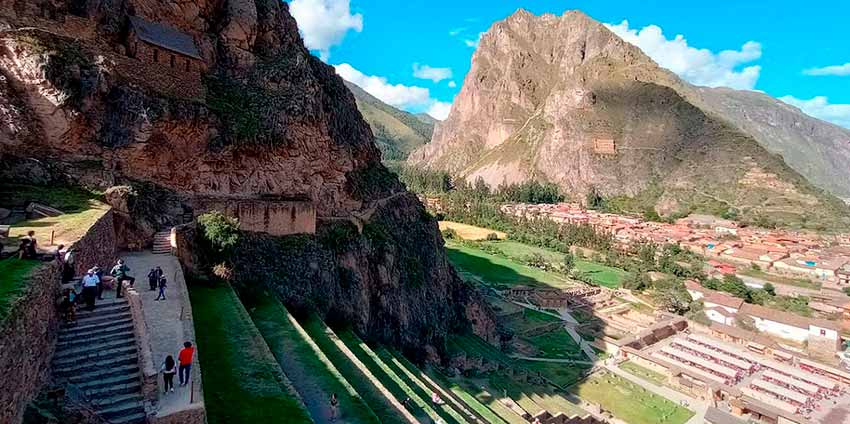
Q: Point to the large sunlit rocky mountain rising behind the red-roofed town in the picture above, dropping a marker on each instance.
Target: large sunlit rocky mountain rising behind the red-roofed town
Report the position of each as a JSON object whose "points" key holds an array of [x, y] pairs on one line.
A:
{"points": [[564, 100]]}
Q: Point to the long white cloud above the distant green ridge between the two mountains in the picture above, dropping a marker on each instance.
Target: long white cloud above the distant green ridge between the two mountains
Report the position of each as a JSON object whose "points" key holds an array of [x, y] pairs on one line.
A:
{"points": [[412, 98]]}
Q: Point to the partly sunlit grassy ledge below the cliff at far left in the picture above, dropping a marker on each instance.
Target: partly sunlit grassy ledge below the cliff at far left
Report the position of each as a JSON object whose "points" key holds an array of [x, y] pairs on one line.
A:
{"points": [[82, 209]]}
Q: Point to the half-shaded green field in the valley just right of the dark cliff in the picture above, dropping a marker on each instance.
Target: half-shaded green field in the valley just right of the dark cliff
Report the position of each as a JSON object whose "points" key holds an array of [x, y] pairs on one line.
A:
{"points": [[497, 270]]}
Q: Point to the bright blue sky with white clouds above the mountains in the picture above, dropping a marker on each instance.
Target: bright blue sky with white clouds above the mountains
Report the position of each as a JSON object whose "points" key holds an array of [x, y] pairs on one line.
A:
{"points": [[404, 52]]}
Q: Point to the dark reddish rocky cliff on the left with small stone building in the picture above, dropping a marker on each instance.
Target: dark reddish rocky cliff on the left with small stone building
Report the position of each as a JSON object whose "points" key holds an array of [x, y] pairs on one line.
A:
{"points": [[221, 98]]}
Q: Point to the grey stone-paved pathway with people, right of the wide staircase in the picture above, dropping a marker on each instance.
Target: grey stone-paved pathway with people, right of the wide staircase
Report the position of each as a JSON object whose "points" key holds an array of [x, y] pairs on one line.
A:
{"points": [[169, 324]]}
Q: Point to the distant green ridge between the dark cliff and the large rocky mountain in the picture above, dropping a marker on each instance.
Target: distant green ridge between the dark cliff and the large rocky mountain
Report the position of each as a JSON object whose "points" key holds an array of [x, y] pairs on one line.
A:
{"points": [[397, 133]]}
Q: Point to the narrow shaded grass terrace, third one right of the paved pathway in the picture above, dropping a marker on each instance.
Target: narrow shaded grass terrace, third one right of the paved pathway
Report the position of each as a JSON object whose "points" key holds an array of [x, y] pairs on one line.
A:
{"points": [[377, 400]]}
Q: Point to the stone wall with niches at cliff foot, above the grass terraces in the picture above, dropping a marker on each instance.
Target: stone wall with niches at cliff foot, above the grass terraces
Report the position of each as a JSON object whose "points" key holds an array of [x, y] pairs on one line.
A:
{"points": [[273, 215]]}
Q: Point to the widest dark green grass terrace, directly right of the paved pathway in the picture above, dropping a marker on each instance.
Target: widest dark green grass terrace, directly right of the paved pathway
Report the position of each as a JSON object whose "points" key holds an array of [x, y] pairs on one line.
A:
{"points": [[242, 381]]}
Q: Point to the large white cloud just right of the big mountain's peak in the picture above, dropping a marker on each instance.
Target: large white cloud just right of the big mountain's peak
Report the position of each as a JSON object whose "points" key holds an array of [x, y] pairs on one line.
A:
{"points": [[698, 66]]}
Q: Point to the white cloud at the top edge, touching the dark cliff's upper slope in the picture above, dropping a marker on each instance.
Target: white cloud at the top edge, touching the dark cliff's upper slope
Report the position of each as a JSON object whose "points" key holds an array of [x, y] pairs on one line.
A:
{"points": [[324, 23]]}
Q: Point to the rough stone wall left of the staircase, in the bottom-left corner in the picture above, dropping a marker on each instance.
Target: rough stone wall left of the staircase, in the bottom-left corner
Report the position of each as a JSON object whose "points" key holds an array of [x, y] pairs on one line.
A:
{"points": [[27, 342]]}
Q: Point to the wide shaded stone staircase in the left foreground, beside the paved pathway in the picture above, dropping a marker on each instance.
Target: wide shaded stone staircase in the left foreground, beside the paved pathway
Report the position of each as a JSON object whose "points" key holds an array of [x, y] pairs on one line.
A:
{"points": [[98, 356]]}
